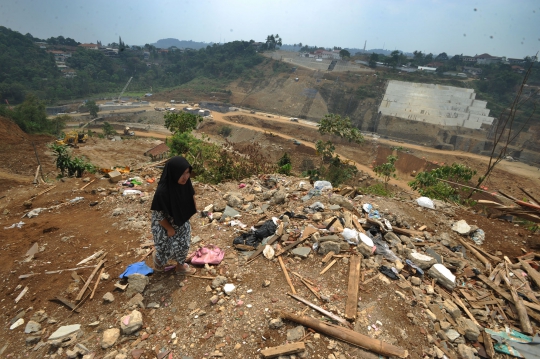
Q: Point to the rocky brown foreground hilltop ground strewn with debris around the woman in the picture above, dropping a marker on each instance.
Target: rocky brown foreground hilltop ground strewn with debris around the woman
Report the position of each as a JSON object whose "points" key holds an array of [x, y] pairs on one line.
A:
{"points": [[165, 315]]}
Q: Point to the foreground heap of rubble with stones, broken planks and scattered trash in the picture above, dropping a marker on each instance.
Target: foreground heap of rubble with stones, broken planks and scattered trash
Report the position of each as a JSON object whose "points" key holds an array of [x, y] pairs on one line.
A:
{"points": [[337, 253]]}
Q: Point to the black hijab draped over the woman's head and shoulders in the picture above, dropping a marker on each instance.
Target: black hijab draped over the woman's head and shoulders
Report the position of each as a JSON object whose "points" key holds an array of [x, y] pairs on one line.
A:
{"points": [[175, 199]]}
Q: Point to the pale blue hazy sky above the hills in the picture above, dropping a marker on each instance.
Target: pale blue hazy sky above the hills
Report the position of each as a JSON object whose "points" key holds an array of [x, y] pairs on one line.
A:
{"points": [[469, 27]]}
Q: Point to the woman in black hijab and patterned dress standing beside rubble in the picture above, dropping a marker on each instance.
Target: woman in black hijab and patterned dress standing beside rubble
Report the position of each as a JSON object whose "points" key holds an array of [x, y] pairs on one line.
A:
{"points": [[172, 207]]}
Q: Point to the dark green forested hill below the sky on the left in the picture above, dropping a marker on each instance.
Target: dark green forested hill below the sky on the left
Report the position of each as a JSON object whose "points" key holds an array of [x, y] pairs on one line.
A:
{"points": [[25, 68]]}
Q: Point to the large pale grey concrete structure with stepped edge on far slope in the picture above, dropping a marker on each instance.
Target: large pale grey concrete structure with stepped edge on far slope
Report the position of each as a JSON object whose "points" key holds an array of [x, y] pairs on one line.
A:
{"points": [[435, 104]]}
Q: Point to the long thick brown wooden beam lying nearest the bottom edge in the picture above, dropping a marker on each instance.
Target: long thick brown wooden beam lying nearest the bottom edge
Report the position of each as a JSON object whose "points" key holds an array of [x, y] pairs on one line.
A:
{"points": [[347, 335]]}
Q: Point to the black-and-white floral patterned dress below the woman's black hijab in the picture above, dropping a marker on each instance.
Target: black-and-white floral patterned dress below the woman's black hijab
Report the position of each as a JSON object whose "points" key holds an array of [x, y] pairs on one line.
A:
{"points": [[175, 247]]}
